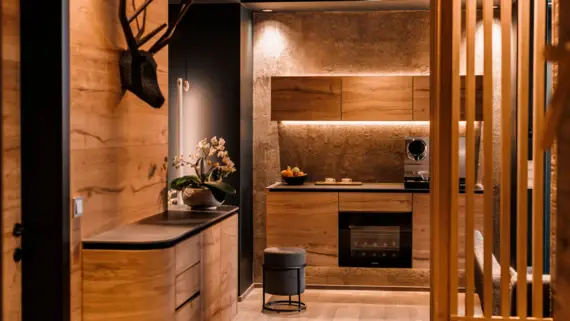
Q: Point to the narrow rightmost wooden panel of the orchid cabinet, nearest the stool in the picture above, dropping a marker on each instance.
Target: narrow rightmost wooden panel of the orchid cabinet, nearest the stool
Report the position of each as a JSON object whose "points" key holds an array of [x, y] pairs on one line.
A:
{"points": [[229, 268]]}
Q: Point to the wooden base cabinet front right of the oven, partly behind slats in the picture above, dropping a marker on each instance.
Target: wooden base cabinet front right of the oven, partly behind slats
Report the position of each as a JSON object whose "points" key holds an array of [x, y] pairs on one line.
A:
{"points": [[421, 228]]}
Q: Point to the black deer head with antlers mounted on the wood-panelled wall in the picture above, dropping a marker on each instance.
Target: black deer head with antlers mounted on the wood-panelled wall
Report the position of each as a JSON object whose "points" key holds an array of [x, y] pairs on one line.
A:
{"points": [[138, 67]]}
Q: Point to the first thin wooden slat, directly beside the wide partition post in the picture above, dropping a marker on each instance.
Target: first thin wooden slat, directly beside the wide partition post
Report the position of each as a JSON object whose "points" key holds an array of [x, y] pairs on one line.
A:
{"points": [[454, 165]]}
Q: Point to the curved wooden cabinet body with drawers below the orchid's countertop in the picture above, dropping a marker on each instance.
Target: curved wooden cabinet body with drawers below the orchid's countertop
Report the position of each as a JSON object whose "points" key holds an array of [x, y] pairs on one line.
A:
{"points": [[195, 279]]}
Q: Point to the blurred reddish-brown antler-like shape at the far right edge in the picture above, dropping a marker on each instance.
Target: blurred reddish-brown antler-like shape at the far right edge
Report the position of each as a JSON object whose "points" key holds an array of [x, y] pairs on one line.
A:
{"points": [[559, 102]]}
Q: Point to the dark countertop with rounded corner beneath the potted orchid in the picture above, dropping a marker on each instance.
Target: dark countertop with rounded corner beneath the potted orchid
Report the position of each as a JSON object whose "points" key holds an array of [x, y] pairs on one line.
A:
{"points": [[159, 231]]}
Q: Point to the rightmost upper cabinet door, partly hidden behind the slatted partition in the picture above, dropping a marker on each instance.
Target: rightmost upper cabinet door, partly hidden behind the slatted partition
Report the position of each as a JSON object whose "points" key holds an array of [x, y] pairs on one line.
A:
{"points": [[422, 98]]}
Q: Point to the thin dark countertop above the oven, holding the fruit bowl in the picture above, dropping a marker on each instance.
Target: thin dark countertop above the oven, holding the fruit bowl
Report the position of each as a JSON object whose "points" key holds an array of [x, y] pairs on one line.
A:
{"points": [[365, 187]]}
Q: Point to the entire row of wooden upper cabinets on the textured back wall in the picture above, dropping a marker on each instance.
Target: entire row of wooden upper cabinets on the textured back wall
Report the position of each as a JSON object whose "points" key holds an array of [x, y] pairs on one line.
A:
{"points": [[361, 98]]}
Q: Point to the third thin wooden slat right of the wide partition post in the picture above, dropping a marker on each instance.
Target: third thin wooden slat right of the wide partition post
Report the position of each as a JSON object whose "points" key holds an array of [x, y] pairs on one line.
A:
{"points": [[488, 155]]}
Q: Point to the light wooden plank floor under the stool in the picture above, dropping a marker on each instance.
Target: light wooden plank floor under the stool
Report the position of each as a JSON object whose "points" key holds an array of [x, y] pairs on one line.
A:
{"points": [[348, 305]]}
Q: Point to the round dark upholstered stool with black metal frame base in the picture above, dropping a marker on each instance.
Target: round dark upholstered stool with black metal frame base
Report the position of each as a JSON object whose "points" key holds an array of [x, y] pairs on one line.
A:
{"points": [[284, 274]]}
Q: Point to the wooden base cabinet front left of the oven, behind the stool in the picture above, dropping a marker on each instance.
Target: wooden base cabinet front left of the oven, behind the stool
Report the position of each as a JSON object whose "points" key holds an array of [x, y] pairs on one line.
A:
{"points": [[305, 220]]}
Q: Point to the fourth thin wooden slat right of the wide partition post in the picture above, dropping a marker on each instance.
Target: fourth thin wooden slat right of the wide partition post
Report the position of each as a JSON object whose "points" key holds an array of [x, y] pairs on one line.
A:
{"points": [[505, 187]]}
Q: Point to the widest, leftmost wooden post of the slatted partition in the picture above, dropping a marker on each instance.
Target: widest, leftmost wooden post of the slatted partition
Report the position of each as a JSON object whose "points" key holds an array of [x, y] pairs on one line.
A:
{"points": [[440, 136]]}
